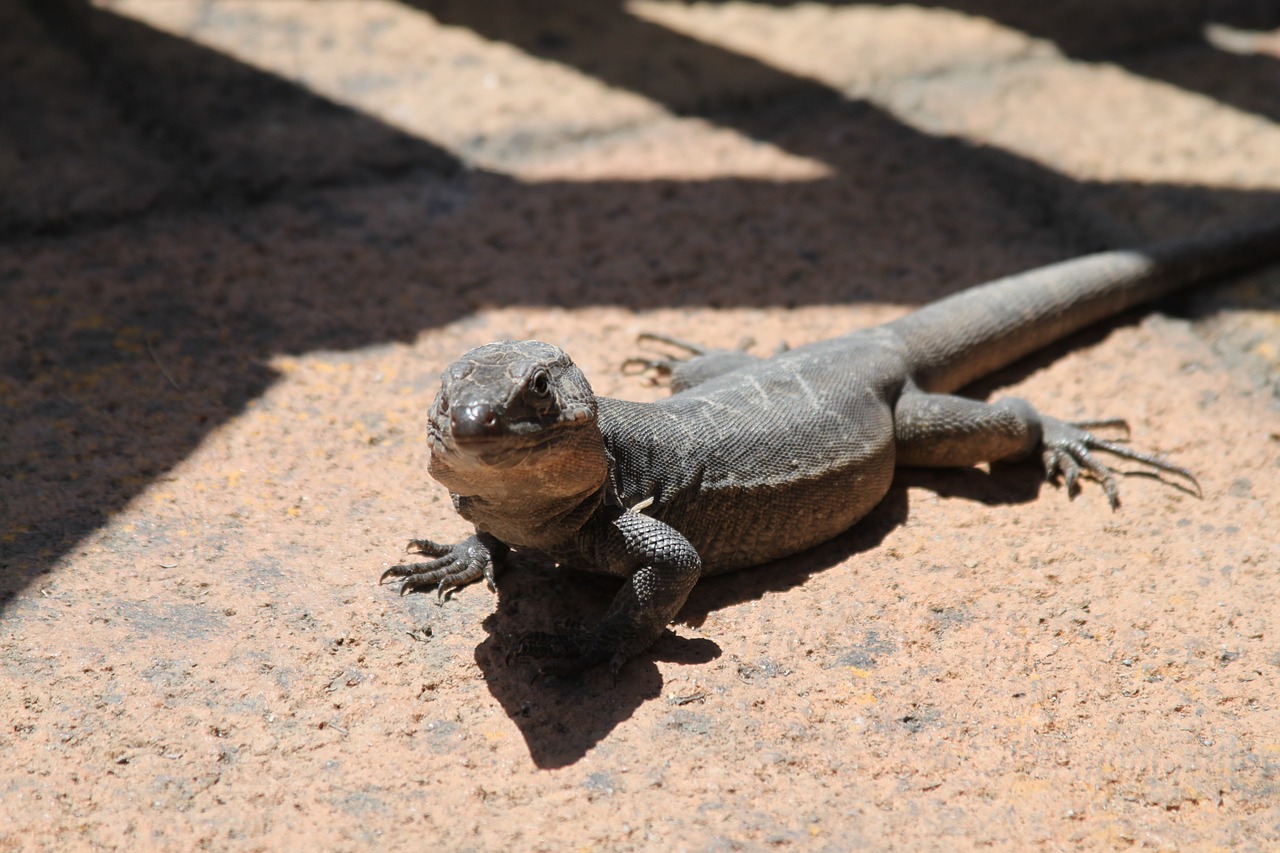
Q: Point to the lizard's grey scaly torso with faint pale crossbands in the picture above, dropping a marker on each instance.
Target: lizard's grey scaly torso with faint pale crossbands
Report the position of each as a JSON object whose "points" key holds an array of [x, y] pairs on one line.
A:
{"points": [[766, 460]]}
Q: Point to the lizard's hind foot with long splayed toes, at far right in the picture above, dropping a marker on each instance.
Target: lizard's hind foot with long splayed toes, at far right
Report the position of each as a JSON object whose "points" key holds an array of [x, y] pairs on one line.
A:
{"points": [[1067, 455]]}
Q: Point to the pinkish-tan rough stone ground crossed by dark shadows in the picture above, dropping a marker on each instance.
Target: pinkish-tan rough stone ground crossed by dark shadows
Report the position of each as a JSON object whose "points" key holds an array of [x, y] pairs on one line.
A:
{"points": [[240, 240]]}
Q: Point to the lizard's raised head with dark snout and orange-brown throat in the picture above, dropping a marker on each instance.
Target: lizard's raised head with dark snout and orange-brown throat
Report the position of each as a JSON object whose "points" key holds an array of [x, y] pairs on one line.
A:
{"points": [[516, 421]]}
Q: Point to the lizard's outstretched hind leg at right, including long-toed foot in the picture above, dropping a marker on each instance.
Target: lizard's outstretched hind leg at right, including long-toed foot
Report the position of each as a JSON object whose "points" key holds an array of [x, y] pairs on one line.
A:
{"points": [[943, 431]]}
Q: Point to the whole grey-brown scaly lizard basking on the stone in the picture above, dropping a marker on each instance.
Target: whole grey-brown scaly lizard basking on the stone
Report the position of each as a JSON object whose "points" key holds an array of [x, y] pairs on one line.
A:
{"points": [[755, 459]]}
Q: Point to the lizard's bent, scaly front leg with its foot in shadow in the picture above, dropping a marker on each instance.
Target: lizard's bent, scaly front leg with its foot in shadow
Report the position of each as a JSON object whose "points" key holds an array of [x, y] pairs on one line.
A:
{"points": [[661, 568]]}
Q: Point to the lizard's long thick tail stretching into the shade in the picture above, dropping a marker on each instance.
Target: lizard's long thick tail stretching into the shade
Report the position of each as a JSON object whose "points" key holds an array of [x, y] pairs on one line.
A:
{"points": [[957, 340]]}
